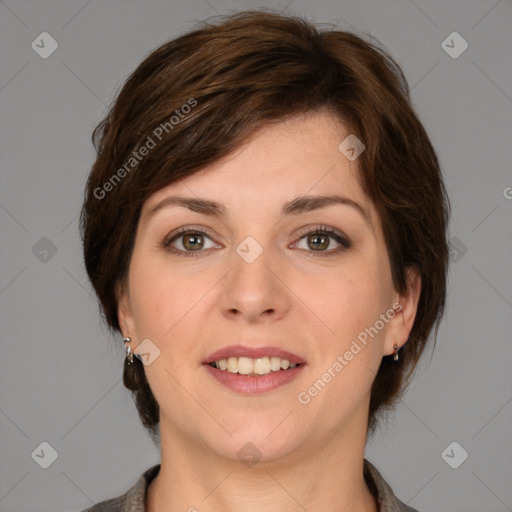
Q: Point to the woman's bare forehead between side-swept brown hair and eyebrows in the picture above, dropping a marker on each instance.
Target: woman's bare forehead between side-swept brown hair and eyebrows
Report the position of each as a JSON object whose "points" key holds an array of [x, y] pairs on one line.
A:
{"points": [[278, 162]]}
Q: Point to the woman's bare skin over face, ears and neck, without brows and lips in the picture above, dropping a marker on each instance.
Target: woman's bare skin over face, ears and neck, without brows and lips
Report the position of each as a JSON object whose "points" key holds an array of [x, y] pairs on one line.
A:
{"points": [[291, 297]]}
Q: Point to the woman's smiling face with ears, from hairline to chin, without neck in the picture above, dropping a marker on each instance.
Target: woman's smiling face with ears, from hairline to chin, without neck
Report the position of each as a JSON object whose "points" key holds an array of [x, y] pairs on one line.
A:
{"points": [[265, 275]]}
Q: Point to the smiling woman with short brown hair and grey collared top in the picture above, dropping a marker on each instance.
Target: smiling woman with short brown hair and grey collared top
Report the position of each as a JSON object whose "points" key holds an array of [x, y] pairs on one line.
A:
{"points": [[265, 226]]}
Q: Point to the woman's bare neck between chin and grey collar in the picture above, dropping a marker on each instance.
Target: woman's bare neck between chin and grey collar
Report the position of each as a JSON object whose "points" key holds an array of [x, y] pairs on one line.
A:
{"points": [[326, 476]]}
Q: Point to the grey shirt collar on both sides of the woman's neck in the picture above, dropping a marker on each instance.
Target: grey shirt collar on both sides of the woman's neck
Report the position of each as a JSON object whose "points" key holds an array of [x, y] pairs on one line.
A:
{"points": [[133, 500]]}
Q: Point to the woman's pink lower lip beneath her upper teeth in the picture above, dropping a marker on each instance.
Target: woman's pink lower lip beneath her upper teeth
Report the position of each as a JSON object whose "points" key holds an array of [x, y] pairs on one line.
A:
{"points": [[254, 385]]}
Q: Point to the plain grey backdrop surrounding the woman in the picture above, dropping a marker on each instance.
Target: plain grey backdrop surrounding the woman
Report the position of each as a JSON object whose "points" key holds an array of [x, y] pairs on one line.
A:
{"points": [[60, 371]]}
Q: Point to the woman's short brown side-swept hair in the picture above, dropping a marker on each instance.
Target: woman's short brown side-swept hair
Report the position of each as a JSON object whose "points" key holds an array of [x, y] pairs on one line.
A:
{"points": [[198, 97]]}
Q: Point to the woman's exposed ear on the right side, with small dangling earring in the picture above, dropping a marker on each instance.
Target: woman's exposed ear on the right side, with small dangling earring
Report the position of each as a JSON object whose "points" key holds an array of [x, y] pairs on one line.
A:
{"points": [[401, 324]]}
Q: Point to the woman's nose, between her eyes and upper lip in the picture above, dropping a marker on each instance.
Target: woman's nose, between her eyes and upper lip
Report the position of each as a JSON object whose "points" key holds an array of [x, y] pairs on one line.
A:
{"points": [[254, 290]]}
